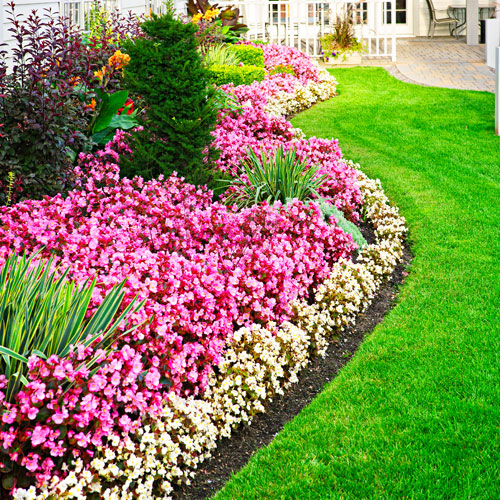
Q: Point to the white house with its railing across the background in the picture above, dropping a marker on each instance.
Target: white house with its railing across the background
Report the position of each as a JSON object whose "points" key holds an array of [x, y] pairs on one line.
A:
{"points": [[294, 22]]}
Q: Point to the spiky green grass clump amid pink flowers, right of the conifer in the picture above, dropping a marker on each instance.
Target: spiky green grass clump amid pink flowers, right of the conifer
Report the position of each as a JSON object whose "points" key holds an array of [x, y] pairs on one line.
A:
{"points": [[277, 176]]}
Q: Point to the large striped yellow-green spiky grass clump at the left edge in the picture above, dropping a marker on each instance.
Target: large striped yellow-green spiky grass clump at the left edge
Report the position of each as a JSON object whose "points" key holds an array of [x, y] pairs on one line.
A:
{"points": [[44, 314]]}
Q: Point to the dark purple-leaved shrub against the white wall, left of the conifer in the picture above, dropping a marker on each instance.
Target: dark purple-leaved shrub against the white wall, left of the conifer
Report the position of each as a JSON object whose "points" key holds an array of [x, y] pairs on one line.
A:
{"points": [[45, 101]]}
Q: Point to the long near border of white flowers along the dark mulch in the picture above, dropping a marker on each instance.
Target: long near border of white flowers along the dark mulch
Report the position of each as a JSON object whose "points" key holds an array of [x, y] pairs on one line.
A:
{"points": [[258, 364]]}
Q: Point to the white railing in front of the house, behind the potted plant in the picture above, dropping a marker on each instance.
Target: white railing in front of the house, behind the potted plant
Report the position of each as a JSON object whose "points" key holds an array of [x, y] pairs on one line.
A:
{"points": [[302, 23]]}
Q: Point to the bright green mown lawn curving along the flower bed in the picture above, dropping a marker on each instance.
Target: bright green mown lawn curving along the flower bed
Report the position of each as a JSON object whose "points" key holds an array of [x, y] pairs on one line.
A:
{"points": [[416, 413]]}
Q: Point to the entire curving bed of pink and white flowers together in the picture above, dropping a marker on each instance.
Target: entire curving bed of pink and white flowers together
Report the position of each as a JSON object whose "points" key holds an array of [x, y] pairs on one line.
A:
{"points": [[256, 292]]}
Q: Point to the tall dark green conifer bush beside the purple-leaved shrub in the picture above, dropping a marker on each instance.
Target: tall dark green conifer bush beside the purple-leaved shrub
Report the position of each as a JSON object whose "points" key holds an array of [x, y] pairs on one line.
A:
{"points": [[166, 71]]}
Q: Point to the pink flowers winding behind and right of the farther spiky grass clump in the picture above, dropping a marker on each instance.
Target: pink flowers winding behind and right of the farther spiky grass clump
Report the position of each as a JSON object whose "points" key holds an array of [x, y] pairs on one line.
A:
{"points": [[253, 128]]}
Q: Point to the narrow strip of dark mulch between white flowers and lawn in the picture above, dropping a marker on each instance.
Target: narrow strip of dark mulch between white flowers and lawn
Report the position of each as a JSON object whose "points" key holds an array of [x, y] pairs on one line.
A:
{"points": [[234, 453]]}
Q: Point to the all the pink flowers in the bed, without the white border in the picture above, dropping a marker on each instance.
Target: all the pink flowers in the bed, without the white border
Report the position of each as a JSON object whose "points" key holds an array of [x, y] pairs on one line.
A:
{"points": [[202, 268]]}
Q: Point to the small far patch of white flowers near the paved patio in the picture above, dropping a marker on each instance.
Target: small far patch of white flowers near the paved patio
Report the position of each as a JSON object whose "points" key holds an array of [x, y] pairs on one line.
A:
{"points": [[303, 97]]}
